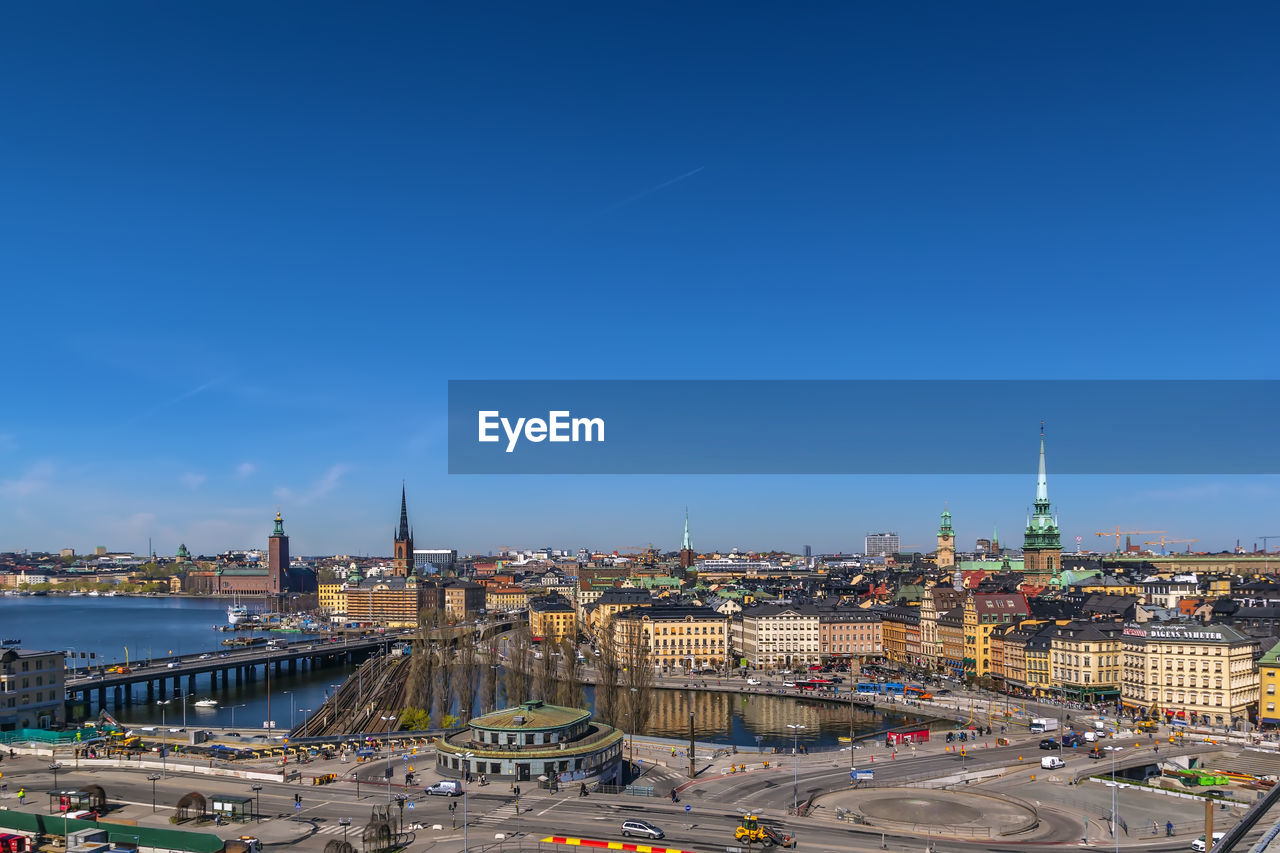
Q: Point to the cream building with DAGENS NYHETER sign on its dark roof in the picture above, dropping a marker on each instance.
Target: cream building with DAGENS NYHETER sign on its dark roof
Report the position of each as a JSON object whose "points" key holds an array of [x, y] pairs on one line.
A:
{"points": [[1197, 674]]}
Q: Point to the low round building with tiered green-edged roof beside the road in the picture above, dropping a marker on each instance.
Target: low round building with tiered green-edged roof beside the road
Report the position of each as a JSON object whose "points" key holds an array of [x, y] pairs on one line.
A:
{"points": [[531, 741]]}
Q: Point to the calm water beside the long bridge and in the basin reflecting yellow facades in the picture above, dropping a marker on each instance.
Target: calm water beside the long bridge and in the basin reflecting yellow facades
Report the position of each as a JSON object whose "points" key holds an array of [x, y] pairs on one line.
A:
{"points": [[140, 628]]}
